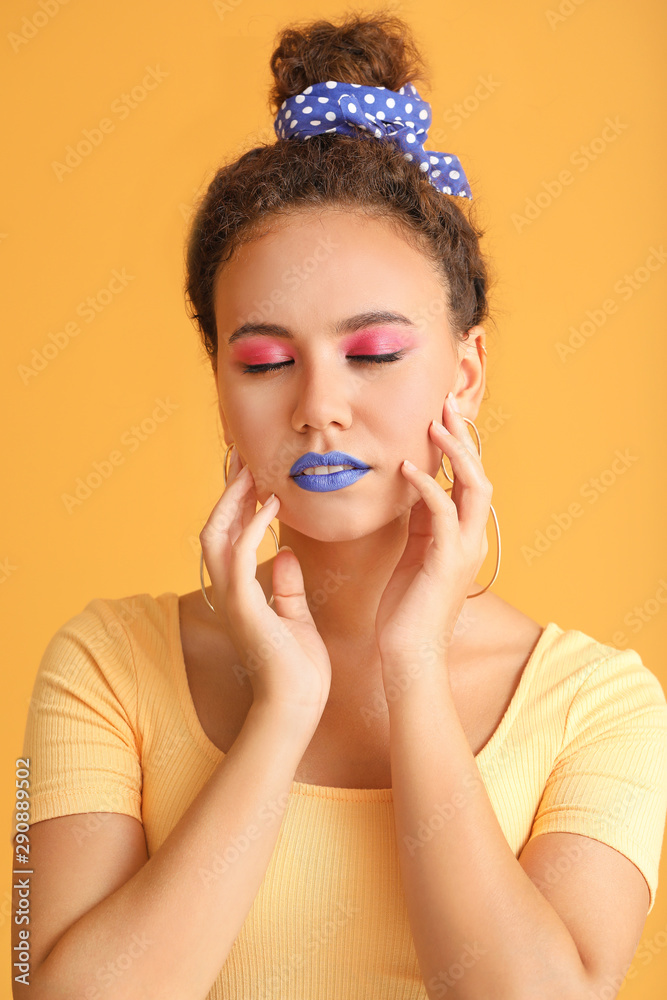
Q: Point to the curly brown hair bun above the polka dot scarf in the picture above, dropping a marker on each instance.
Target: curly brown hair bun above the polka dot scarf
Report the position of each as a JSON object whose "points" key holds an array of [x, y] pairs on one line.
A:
{"points": [[375, 50]]}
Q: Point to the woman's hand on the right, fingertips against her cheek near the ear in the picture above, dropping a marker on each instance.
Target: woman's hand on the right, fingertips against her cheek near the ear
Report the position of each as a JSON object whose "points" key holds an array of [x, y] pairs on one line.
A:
{"points": [[445, 550]]}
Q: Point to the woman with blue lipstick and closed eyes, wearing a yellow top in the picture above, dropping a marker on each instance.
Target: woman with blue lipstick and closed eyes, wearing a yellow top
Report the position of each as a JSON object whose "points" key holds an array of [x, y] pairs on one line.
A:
{"points": [[352, 770]]}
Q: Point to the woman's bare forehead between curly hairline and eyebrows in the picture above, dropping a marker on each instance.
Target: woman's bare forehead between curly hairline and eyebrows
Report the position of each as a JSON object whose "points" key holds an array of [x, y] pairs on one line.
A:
{"points": [[328, 260]]}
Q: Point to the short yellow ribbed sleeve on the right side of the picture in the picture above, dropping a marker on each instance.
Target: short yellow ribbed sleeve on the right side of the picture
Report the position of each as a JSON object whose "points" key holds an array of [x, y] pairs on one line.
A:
{"points": [[609, 781]]}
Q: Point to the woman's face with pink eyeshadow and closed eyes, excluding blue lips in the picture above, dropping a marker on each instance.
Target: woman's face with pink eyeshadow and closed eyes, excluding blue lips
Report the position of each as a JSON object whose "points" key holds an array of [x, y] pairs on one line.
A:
{"points": [[311, 286]]}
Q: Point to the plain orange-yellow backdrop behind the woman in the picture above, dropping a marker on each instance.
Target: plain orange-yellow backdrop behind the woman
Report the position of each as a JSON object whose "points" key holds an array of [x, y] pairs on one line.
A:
{"points": [[551, 425]]}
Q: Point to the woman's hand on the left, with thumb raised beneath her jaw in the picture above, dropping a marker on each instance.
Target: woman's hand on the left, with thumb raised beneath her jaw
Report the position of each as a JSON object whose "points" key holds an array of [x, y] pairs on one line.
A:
{"points": [[283, 653]]}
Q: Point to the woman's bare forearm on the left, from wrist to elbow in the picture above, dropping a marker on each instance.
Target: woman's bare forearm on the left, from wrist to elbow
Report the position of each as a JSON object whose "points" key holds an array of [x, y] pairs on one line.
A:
{"points": [[186, 905]]}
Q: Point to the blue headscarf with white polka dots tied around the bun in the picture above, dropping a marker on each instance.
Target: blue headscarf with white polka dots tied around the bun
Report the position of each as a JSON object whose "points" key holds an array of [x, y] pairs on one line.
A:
{"points": [[400, 116]]}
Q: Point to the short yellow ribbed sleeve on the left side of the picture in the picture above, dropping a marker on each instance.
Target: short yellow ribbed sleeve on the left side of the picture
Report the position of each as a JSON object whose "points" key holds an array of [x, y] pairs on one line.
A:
{"points": [[81, 734]]}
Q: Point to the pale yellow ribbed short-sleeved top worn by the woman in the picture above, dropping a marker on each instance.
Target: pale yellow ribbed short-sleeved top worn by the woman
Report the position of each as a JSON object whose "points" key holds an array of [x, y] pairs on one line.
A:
{"points": [[112, 727]]}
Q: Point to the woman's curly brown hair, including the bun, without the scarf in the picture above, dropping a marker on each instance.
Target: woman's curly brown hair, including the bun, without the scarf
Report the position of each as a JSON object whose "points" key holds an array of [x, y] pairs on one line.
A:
{"points": [[334, 170]]}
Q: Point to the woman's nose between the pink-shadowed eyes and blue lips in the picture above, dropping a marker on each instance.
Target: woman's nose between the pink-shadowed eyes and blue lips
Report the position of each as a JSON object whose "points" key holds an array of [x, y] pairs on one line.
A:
{"points": [[323, 397]]}
